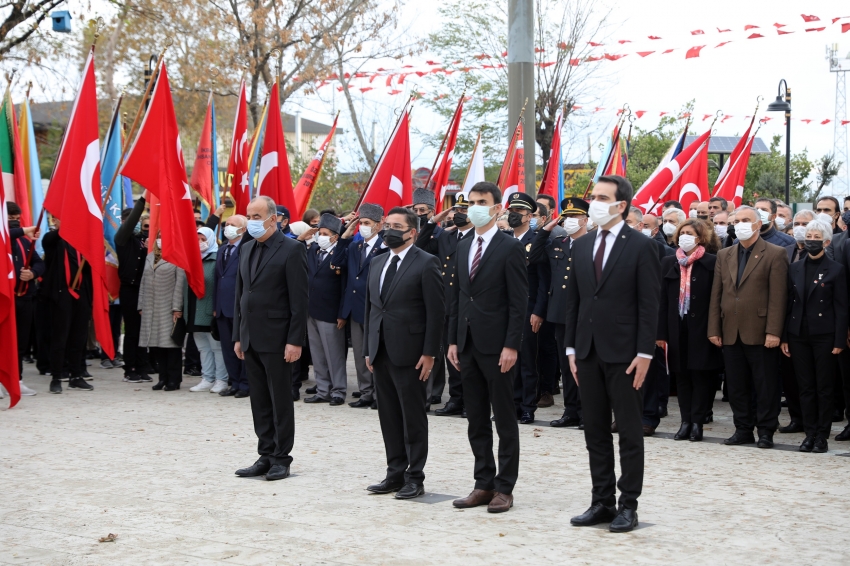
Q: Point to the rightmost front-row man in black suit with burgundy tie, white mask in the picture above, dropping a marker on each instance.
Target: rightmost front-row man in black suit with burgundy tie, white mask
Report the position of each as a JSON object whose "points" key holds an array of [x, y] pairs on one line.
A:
{"points": [[612, 315]]}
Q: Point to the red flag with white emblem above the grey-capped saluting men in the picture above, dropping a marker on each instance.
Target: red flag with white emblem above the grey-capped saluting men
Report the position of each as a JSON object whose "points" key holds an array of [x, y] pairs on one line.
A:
{"points": [[391, 184]]}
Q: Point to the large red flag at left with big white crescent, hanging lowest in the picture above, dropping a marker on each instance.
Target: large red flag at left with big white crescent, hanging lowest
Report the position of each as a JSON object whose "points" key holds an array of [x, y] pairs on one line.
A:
{"points": [[74, 197]]}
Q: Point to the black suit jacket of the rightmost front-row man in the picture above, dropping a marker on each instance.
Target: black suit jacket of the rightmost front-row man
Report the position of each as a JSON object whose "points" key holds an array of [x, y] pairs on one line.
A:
{"points": [[618, 315]]}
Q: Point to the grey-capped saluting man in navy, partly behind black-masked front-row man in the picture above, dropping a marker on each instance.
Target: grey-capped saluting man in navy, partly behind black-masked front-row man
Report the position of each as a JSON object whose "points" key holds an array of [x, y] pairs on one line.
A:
{"points": [[356, 260]]}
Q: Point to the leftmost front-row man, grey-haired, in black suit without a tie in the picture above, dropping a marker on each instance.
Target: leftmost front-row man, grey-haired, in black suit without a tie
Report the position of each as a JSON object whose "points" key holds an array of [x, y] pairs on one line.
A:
{"points": [[269, 321]]}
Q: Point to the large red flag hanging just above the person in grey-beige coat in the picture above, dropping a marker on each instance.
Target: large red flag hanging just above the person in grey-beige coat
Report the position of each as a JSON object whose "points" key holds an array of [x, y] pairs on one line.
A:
{"points": [[155, 161]]}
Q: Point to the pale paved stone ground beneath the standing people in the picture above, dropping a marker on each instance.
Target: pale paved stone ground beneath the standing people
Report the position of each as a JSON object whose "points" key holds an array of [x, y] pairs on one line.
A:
{"points": [[156, 469]]}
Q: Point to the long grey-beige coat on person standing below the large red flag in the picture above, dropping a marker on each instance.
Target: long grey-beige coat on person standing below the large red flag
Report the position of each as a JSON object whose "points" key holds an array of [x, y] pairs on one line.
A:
{"points": [[160, 294]]}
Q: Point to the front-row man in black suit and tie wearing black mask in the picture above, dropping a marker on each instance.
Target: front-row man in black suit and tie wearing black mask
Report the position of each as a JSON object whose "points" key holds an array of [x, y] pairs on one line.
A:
{"points": [[404, 319]]}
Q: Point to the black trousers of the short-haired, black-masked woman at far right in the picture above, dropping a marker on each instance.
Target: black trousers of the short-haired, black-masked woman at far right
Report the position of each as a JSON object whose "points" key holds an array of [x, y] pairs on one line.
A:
{"points": [[814, 364]]}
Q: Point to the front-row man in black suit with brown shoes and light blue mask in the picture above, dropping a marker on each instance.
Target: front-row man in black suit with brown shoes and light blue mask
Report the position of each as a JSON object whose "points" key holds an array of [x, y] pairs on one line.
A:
{"points": [[486, 318]]}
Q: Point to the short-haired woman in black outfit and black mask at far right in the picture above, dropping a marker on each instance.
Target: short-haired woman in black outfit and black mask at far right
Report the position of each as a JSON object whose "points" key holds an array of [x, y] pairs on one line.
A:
{"points": [[816, 331]]}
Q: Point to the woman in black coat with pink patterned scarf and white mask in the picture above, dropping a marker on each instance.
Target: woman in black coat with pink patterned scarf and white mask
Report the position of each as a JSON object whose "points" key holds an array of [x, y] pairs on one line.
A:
{"points": [[686, 280]]}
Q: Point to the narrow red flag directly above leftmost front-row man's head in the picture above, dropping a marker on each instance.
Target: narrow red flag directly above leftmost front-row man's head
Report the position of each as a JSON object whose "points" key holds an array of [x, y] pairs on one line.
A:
{"points": [[275, 180]]}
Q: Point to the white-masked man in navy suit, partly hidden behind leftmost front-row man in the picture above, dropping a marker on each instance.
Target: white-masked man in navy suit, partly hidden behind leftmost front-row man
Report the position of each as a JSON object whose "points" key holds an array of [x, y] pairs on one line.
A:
{"points": [[224, 298]]}
